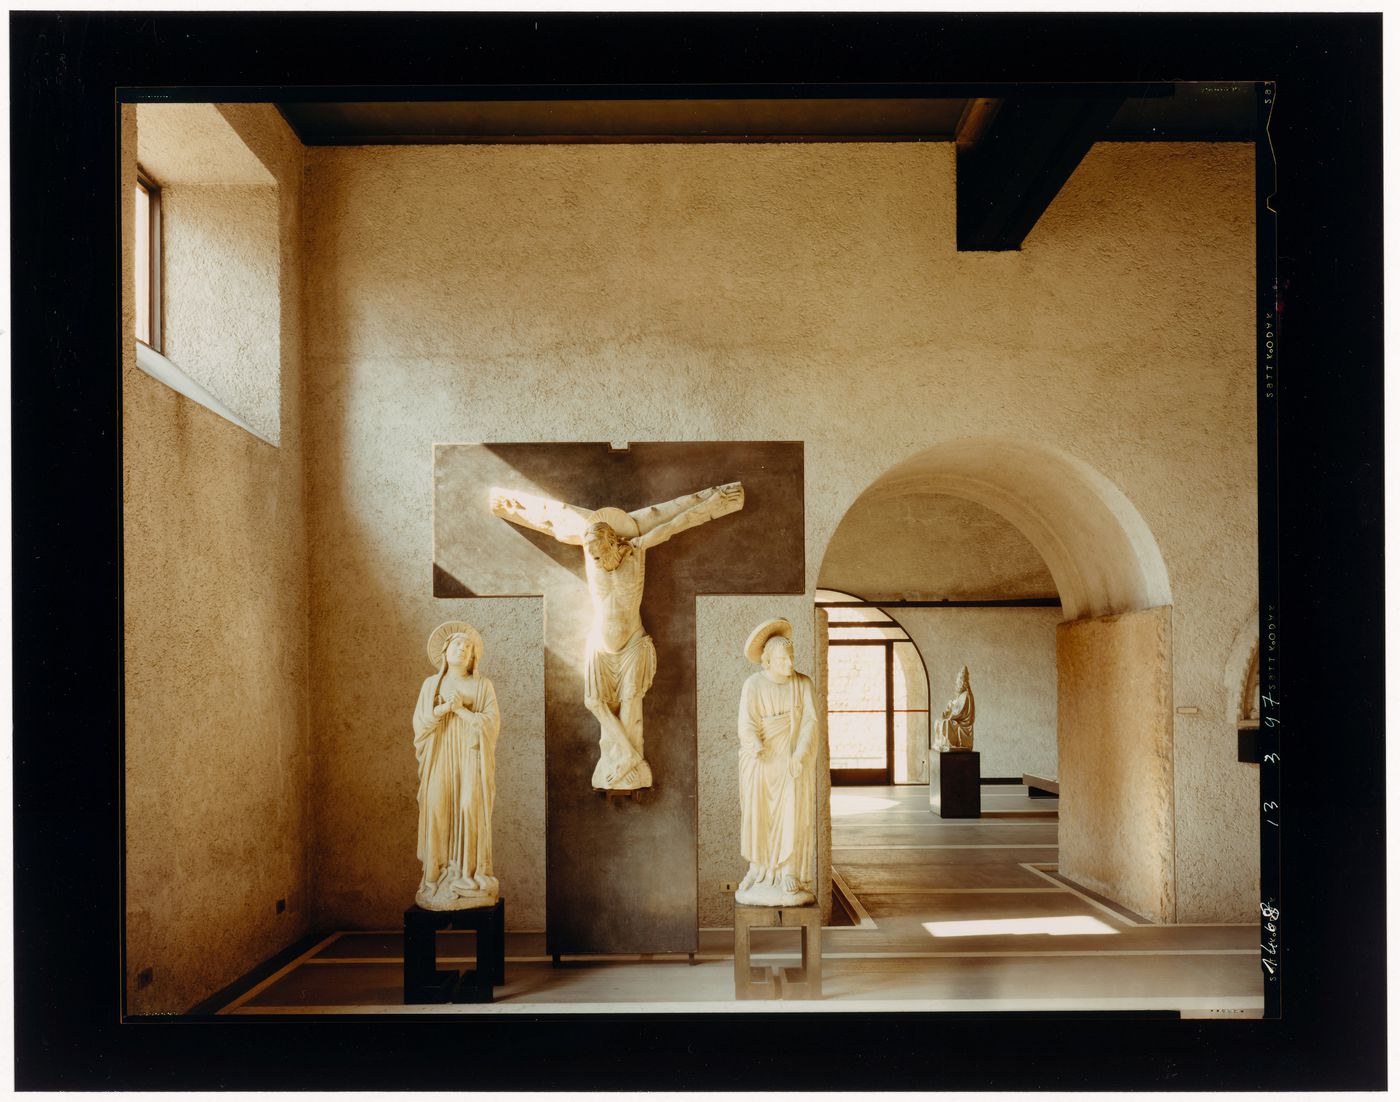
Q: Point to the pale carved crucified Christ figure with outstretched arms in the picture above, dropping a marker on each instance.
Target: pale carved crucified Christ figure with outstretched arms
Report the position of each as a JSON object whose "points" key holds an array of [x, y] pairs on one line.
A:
{"points": [[619, 659]]}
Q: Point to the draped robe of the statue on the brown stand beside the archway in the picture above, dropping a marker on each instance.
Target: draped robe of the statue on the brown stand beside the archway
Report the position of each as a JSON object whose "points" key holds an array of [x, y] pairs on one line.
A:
{"points": [[778, 722]]}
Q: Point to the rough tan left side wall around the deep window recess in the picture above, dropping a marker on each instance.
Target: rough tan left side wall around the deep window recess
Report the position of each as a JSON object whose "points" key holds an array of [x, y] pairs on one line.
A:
{"points": [[218, 813]]}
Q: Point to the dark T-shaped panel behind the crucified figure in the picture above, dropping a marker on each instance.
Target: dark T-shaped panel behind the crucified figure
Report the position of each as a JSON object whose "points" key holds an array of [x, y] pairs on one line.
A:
{"points": [[621, 872]]}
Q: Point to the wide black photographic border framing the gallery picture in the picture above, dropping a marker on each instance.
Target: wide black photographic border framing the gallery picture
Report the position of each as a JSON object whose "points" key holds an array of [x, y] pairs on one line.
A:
{"points": [[1321, 527]]}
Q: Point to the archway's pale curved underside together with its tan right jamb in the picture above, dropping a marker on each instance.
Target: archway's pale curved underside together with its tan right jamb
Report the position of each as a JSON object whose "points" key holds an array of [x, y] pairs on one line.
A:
{"points": [[1112, 652]]}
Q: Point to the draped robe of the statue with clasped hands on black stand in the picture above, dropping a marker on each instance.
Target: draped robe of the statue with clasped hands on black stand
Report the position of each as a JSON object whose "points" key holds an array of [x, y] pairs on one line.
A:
{"points": [[457, 792]]}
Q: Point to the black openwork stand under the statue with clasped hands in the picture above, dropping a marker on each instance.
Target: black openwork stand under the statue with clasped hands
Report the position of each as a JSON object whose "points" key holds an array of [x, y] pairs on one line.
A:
{"points": [[422, 979]]}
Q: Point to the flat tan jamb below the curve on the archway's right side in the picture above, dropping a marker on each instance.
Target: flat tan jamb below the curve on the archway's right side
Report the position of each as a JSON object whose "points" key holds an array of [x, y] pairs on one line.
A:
{"points": [[1115, 734]]}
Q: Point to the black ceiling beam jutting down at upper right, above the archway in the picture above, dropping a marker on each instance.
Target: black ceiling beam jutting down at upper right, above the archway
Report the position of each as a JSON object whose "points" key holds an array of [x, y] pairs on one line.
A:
{"points": [[1009, 176]]}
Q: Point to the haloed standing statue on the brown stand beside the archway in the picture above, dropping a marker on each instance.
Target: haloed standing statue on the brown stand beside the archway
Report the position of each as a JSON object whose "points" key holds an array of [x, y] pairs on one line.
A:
{"points": [[778, 776]]}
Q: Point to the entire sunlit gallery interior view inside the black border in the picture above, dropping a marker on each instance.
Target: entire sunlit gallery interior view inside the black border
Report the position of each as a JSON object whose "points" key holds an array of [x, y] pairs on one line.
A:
{"points": [[594, 555]]}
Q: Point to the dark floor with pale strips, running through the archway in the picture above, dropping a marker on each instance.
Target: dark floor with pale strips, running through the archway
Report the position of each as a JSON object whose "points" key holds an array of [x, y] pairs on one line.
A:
{"points": [[957, 915]]}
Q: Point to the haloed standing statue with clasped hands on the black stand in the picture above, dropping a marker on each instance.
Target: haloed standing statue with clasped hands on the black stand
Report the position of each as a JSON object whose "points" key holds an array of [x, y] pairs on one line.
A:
{"points": [[456, 726]]}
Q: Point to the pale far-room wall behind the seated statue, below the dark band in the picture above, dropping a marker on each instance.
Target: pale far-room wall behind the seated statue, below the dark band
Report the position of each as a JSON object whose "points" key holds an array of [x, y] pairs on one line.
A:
{"points": [[1010, 655]]}
